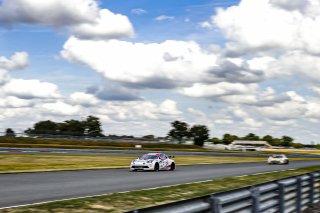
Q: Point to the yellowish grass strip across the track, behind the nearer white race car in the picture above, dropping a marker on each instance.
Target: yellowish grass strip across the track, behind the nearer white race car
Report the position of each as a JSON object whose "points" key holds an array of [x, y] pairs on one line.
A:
{"points": [[13, 163]]}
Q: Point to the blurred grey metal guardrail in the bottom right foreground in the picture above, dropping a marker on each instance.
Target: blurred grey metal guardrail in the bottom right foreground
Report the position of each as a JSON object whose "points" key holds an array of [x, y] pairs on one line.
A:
{"points": [[288, 195]]}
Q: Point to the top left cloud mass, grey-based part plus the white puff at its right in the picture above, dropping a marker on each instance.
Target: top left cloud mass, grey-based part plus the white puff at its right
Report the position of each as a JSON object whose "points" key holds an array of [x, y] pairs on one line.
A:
{"points": [[83, 18]]}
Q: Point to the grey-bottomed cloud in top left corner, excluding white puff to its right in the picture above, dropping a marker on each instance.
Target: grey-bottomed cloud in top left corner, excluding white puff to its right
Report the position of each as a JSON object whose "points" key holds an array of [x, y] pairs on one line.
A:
{"points": [[56, 13]]}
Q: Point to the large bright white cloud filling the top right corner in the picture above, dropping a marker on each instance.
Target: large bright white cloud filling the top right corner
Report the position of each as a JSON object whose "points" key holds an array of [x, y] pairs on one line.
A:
{"points": [[258, 25]]}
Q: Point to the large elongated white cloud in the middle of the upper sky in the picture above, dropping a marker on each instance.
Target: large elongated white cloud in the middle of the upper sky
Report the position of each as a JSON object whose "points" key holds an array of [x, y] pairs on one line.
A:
{"points": [[154, 65]]}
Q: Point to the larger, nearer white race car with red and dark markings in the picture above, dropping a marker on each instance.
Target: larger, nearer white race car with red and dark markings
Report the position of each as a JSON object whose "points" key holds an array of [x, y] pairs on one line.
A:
{"points": [[153, 161]]}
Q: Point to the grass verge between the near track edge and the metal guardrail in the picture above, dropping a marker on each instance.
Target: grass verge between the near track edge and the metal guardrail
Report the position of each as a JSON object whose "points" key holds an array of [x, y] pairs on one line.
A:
{"points": [[120, 202]]}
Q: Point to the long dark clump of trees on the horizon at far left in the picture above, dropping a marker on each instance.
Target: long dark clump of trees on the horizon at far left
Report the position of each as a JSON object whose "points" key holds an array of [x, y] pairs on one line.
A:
{"points": [[91, 126]]}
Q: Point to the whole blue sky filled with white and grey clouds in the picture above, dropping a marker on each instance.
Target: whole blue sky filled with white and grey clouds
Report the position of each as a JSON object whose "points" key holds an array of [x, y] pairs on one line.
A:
{"points": [[235, 66]]}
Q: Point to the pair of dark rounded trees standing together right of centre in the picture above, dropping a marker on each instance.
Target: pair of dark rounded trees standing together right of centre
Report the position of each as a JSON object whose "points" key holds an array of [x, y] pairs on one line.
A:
{"points": [[181, 131]]}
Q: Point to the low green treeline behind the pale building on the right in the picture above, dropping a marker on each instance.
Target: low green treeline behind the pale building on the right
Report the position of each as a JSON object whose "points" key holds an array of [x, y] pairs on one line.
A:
{"points": [[283, 141]]}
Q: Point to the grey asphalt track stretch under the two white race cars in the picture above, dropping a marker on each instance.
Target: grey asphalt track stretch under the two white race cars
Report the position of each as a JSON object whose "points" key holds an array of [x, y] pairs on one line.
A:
{"points": [[27, 188]]}
